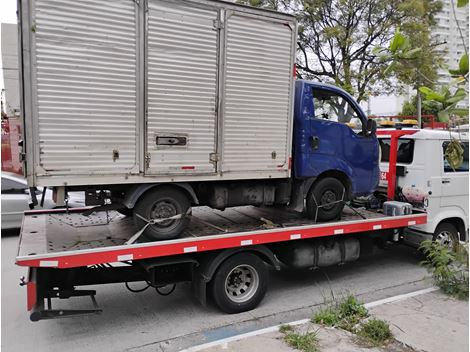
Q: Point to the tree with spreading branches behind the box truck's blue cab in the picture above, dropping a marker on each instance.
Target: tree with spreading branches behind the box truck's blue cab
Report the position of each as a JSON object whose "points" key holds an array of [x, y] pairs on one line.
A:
{"points": [[337, 37]]}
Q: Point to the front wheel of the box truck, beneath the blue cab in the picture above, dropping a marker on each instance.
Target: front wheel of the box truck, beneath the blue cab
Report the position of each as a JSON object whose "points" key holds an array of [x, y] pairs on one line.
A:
{"points": [[326, 192]]}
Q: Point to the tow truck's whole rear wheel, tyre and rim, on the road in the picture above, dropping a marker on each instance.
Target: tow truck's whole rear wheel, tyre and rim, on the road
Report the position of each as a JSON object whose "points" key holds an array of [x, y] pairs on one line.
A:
{"points": [[239, 283]]}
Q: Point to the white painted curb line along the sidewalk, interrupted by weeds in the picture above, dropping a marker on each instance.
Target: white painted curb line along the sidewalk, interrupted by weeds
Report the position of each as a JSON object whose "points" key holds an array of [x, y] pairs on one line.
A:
{"points": [[275, 328]]}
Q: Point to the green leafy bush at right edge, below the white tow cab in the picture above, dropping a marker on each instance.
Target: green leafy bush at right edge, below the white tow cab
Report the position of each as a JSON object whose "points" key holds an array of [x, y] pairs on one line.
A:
{"points": [[449, 267]]}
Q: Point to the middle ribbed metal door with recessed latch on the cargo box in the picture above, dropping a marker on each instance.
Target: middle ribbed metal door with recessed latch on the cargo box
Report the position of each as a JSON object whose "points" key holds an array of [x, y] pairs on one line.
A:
{"points": [[181, 83]]}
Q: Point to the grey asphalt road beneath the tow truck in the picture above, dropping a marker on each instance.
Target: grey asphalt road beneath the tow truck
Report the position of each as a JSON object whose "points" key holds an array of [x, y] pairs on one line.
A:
{"points": [[149, 322]]}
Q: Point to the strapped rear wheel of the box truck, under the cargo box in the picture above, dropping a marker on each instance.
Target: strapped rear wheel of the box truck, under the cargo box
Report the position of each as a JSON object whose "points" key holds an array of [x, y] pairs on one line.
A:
{"points": [[161, 203]]}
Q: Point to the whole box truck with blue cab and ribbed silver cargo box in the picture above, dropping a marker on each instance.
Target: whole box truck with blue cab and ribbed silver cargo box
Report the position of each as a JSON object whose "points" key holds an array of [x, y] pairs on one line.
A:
{"points": [[152, 106]]}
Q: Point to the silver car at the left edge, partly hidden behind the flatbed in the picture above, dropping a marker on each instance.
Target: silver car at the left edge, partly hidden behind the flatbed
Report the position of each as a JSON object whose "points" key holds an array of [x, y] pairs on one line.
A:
{"points": [[15, 198]]}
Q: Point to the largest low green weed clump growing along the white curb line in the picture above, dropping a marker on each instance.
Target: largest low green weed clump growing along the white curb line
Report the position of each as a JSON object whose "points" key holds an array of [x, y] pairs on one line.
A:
{"points": [[344, 314]]}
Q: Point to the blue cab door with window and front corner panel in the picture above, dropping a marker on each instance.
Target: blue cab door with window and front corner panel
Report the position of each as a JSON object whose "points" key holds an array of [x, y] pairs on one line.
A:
{"points": [[339, 139]]}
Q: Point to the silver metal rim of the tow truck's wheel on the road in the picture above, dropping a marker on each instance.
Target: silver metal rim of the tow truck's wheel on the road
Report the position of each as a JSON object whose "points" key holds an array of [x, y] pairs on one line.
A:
{"points": [[241, 283]]}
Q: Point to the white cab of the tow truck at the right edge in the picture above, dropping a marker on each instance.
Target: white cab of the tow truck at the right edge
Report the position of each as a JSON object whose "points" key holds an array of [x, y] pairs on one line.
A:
{"points": [[426, 180]]}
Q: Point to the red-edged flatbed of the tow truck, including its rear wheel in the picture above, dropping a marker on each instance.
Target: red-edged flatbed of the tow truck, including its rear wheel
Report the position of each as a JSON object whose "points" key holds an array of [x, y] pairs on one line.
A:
{"points": [[221, 253]]}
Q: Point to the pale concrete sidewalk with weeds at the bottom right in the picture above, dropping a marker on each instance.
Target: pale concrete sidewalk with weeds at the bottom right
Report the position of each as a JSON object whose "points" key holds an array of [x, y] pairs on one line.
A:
{"points": [[430, 322]]}
